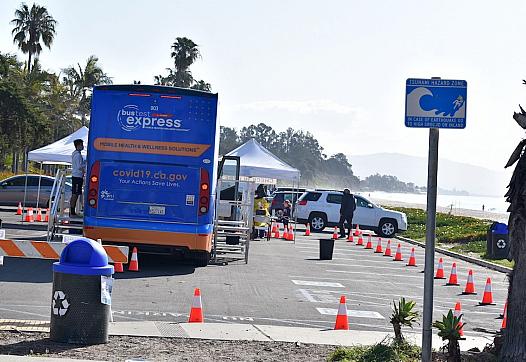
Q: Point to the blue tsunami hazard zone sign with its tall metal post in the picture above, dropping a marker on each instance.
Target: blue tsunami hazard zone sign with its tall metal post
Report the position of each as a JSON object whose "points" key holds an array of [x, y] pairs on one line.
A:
{"points": [[433, 103]]}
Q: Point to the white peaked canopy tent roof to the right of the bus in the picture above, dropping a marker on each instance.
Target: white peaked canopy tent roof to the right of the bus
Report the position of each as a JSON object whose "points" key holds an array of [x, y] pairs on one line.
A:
{"points": [[257, 161]]}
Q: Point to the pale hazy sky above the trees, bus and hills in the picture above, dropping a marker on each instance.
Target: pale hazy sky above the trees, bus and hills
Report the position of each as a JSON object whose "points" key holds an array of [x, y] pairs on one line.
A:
{"points": [[334, 68]]}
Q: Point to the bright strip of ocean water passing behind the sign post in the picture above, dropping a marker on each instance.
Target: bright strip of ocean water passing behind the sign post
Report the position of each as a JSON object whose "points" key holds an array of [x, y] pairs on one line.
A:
{"points": [[491, 203]]}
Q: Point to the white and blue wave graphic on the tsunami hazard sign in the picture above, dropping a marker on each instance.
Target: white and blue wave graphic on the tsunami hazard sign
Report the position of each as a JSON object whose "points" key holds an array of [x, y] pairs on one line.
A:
{"points": [[420, 102]]}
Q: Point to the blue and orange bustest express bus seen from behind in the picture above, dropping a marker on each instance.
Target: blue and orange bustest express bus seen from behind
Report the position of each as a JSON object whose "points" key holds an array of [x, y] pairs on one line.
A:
{"points": [[151, 166]]}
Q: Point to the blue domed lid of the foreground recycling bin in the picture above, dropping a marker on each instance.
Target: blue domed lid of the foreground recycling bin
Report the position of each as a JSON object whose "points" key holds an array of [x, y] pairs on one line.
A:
{"points": [[84, 257]]}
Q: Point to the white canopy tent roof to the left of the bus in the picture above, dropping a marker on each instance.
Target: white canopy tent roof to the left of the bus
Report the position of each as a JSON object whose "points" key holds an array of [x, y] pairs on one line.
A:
{"points": [[59, 152]]}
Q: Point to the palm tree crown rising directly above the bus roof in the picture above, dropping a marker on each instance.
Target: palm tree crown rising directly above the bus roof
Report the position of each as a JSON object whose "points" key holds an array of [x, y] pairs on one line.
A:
{"points": [[185, 53]]}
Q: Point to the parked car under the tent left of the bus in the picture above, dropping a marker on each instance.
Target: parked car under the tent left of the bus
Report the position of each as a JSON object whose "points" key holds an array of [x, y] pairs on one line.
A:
{"points": [[12, 190]]}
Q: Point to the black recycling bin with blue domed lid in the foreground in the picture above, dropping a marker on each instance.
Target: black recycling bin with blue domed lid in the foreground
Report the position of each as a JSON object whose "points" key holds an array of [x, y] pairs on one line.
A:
{"points": [[81, 297]]}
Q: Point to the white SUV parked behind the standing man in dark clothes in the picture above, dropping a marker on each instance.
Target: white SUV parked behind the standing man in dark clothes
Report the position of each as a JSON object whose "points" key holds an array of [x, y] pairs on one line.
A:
{"points": [[321, 208]]}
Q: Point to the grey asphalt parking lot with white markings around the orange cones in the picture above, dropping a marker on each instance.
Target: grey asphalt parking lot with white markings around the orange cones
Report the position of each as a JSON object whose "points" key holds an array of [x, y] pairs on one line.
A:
{"points": [[284, 283]]}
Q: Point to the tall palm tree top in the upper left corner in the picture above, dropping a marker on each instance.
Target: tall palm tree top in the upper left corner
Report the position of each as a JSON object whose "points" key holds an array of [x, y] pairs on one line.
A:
{"points": [[31, 27]]}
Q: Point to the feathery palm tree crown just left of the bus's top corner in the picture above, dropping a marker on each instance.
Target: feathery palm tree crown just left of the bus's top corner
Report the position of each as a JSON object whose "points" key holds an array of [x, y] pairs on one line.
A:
{"points": [[80, 82]]}
